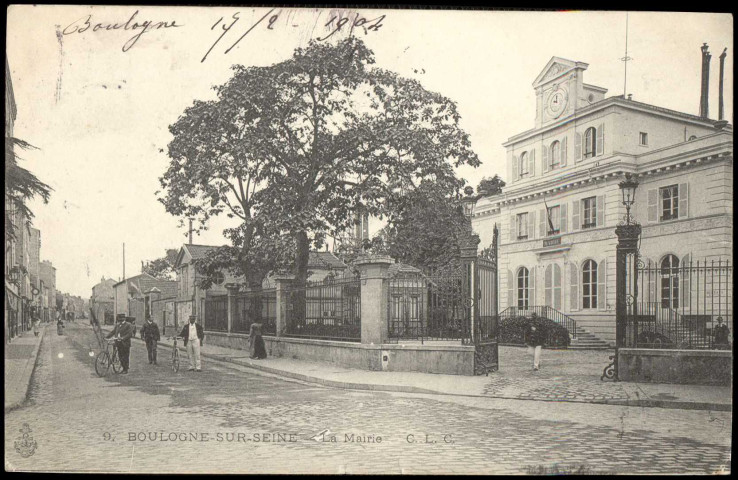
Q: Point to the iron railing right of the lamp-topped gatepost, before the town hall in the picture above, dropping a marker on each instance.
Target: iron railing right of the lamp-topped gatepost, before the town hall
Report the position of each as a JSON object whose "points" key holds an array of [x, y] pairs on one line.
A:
{"points": [[680, 304]]}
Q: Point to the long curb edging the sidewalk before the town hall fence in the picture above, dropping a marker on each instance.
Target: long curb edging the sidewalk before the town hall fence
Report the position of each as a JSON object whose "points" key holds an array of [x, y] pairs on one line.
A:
{"points": [[646, 403]]}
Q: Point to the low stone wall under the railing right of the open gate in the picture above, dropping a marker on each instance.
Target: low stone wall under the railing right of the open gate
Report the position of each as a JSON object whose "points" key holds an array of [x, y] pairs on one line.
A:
{"points": [[701, 367]]}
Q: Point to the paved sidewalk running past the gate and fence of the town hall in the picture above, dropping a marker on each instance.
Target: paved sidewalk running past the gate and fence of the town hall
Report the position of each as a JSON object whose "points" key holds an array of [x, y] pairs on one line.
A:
{"points": [[565, 376]]}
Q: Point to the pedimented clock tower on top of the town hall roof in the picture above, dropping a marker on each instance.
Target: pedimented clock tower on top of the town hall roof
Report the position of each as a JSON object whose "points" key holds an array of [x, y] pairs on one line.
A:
{"points": [[560, 91]]}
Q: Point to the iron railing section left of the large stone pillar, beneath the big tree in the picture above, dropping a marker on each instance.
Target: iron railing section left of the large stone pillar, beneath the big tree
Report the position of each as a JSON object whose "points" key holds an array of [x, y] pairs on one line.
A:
{"points": [[329, 310]]}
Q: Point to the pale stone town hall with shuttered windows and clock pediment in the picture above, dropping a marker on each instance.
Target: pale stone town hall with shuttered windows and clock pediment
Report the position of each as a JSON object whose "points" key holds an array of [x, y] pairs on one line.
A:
{"points": [[571, 161]]}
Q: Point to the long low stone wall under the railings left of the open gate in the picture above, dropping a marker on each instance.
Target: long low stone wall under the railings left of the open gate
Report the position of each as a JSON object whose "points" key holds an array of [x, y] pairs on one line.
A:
{"points": [[444, 359]]}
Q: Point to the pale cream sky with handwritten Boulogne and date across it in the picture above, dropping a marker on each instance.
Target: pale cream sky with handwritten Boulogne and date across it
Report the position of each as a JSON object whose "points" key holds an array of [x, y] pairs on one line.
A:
{"points": [[100, 115]]}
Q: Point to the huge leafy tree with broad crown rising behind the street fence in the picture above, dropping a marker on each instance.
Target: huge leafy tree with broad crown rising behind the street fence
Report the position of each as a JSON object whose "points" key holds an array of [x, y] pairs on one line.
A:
{"points": [[318, 136]]}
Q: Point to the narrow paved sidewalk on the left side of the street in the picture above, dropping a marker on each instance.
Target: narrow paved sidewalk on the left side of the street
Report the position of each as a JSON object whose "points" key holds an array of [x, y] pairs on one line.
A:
{"points": [[20, 359]]}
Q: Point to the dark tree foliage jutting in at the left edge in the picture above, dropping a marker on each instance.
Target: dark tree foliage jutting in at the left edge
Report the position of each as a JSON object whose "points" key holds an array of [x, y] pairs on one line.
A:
{"points": [[20, 187]]}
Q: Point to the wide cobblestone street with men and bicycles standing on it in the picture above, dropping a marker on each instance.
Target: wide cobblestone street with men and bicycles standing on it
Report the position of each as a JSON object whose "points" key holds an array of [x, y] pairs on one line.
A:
{"points": [[228, 419]]}
